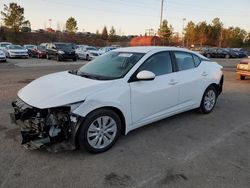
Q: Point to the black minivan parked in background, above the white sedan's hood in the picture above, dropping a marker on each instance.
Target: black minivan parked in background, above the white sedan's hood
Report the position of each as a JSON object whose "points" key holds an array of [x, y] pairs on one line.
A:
{"points": [[61, 51]]}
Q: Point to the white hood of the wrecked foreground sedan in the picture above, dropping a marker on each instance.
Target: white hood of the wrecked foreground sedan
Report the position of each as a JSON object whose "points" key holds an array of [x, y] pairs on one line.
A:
{"points": [[60, 89]]}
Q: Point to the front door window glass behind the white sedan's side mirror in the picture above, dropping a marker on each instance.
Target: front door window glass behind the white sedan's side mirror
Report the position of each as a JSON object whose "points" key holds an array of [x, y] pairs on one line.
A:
{"points": [[159, 64]]}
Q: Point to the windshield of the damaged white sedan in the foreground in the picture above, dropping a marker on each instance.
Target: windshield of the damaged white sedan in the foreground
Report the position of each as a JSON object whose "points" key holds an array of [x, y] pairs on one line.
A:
{"points": [[112, 65]]}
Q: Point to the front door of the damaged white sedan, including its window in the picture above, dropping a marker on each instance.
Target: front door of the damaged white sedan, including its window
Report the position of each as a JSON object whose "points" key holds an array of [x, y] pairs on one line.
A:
{"points": [[153, 99]]}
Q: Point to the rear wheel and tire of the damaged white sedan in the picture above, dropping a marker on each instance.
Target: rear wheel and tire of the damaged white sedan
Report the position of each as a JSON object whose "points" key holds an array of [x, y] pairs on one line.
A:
{"points": [[209, 100]]}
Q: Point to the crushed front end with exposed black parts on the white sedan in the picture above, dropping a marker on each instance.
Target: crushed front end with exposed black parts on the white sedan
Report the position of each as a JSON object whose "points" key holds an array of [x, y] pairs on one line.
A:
{"points": [[53, 129]]}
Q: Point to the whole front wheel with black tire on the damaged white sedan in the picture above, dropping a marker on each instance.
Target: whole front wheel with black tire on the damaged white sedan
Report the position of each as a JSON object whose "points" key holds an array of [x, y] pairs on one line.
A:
{"points": [[93, 122]]}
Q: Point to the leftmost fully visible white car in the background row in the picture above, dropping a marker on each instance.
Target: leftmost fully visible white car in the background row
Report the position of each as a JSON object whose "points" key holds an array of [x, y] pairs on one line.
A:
{"points": [[16, 51]]}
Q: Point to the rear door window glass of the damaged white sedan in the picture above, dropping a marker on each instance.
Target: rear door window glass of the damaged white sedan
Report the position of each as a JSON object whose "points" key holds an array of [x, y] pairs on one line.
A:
{"points": [[184, 60]]}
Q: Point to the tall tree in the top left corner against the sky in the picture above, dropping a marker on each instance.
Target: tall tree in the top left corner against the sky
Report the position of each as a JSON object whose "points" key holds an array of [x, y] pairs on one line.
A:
{"points": [[13, 17]]}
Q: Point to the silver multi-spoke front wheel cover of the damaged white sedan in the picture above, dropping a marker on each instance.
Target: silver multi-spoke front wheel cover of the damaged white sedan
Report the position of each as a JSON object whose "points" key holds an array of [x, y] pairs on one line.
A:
{"points": [[102, 131]]}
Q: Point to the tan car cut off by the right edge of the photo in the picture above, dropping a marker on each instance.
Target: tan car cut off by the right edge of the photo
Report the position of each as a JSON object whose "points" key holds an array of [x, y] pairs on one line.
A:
{"points": [[243, 69]]}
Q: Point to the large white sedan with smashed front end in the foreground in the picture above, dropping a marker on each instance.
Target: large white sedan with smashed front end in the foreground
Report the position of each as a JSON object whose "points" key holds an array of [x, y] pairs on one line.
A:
{"points": [[114, 94]]}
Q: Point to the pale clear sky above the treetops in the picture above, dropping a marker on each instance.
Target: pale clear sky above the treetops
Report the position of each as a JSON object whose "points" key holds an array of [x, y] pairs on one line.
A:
{"points": [[132, 16]]}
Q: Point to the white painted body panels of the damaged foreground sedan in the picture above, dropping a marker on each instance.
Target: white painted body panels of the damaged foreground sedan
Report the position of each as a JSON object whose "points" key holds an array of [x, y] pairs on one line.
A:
{"points": [[140, 102]]}
